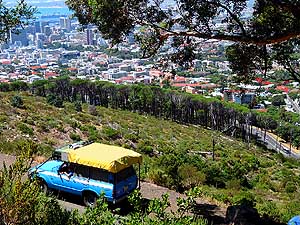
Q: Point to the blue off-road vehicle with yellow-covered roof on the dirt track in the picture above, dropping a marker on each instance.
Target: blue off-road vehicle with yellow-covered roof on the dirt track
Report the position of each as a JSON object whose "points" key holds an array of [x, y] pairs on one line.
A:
{"points": [[90, 170]]}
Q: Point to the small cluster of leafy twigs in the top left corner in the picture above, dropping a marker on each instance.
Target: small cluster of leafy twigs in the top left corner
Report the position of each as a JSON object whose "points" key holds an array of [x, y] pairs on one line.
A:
{"points": [[12, 18]]}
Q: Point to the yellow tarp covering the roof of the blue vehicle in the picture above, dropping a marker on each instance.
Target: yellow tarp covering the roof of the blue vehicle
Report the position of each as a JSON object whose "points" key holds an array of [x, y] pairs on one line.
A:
{"points": [[108, 157]]}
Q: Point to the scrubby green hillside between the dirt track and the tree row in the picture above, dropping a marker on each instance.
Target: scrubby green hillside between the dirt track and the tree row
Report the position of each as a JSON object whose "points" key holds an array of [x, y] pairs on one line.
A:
{"points": [[173, 156]]}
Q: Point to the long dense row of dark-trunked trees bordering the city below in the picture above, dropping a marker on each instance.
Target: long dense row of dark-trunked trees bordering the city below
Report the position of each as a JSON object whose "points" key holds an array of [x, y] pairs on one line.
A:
{"points": [[151, 100]]}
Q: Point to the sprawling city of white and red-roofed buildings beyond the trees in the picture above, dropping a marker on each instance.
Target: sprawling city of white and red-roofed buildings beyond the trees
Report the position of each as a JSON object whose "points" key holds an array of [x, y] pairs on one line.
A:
{"points": [[57, 45]]}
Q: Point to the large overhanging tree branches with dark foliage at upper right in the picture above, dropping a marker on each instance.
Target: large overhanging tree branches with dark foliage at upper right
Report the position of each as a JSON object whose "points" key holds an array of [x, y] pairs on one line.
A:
{"points": [[267, 30]]}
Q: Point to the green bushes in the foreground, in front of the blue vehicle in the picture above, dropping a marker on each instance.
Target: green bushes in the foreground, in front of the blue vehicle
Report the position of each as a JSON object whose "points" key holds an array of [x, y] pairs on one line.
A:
{"points": [[21, 202]]}
